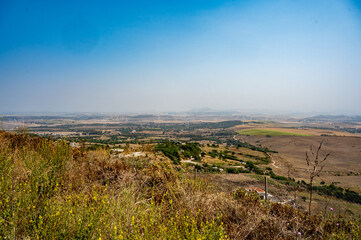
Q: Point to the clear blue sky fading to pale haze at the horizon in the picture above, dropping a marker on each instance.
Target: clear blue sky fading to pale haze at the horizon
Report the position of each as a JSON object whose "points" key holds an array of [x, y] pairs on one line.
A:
{"points": [[155, 56]]}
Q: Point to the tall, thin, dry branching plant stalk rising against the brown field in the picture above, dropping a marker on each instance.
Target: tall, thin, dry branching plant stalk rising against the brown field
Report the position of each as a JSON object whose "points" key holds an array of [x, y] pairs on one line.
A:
{"points": [[314, 167]]}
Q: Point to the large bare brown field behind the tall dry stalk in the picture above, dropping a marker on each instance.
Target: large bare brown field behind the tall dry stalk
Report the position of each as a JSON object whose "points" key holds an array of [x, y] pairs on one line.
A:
{"points": [[343, 164]]}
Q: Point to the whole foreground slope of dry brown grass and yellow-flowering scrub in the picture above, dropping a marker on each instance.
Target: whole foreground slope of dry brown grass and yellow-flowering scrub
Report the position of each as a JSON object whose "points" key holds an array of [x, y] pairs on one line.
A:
{"points": [[51, 191]]}
